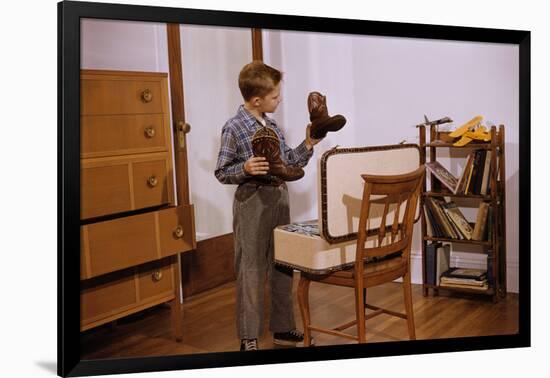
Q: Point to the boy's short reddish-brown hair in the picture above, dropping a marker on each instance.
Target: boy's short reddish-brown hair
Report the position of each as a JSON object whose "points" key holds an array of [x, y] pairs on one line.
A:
{"points": [[258, 79]]}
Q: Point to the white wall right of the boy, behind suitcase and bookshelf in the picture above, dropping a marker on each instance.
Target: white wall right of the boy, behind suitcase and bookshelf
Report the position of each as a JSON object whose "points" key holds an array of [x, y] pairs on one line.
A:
{"points": [[384, 86]]}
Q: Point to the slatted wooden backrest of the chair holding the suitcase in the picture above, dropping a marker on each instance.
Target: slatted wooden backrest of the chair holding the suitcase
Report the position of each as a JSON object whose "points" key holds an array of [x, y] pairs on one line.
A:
{"points": [[396, 198]]}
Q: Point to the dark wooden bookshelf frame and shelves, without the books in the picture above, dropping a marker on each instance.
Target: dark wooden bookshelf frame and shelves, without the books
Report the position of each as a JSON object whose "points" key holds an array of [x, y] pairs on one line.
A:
{"points": [[496, 246]]}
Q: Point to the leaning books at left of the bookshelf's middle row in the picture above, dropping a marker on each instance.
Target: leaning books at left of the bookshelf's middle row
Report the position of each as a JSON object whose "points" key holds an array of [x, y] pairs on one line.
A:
{"points": [[445, 220]]}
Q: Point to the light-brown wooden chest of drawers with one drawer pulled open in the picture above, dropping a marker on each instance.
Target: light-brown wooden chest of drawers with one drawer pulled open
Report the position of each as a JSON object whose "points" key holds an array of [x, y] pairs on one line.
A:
{"points": [[131, 228]]}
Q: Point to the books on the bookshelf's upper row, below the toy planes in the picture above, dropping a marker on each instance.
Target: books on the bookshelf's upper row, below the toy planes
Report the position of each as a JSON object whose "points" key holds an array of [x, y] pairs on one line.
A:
{"points": [[475, 177]]}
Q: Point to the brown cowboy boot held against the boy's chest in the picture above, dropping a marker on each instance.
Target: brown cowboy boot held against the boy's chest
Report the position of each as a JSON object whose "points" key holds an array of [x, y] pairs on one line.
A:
{"points": [[265, 143]]}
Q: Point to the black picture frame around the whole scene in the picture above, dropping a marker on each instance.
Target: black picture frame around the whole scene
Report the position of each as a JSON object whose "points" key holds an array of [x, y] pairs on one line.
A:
{"points": [[69, 15]]}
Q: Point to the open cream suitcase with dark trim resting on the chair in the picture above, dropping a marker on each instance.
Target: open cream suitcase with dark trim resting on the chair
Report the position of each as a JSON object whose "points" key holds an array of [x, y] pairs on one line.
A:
{"points": [[328, 243]]}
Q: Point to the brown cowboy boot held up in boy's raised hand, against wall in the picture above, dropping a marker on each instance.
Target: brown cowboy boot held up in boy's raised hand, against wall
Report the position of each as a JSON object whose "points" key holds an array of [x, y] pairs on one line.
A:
{"points": [[321, 123]]}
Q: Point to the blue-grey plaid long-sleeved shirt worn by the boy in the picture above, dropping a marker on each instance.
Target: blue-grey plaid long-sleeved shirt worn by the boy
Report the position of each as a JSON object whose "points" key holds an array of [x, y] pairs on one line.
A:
{"points": [[236, 147]]}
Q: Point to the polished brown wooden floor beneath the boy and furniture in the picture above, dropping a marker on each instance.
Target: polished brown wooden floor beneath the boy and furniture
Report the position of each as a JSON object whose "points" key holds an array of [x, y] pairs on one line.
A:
{"points": [[209, 321]]}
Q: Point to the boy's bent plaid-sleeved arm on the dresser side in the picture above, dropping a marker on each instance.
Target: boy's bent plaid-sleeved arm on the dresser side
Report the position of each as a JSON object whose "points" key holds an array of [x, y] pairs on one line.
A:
{"points": [[228, 169]]}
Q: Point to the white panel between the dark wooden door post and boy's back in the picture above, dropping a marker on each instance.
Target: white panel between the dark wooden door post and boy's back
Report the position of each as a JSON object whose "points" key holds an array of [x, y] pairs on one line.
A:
{"points": [[212, 59]]}
